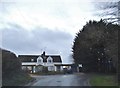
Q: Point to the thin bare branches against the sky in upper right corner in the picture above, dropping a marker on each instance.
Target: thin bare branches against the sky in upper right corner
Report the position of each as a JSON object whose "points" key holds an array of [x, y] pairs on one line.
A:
{"points": [[110, 11]]}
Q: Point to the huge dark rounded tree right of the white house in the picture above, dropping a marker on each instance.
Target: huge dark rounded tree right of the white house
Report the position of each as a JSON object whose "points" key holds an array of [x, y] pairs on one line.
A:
{"points": [[92, 43]]}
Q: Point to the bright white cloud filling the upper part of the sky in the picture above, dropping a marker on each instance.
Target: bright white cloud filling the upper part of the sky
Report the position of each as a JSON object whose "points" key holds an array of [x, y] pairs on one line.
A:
{"points": [[65, 15]]}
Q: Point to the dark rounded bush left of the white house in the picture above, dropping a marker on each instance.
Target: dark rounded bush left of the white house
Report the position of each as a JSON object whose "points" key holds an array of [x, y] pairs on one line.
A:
{"points": [[10, 64]]}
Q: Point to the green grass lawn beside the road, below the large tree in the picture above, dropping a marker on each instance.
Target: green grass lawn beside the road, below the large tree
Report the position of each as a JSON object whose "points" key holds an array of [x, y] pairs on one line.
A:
{"points": [[102, 80]]}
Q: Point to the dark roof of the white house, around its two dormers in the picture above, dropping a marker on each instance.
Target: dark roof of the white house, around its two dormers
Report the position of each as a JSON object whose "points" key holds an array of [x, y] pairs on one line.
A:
{"points": [[27, 58]]}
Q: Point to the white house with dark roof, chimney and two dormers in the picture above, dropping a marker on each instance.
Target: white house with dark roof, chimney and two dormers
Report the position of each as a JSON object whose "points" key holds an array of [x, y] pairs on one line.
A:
{"points": [[36, 63]]}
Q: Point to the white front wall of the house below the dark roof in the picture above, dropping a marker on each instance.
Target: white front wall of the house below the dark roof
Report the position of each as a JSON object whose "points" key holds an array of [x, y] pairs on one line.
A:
{"points": [[38, 66]]}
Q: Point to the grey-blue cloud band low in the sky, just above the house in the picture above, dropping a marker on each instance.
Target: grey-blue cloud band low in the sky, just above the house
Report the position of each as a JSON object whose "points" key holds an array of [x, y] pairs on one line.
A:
{"points": [[22, 41]]}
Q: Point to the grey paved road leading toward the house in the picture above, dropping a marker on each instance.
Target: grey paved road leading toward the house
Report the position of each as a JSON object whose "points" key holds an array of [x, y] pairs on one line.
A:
{"points": [[61, 80]]}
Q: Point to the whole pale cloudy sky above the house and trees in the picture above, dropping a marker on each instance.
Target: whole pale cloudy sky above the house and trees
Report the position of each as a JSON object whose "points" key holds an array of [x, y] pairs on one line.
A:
{"points": [[34, 26]]}
